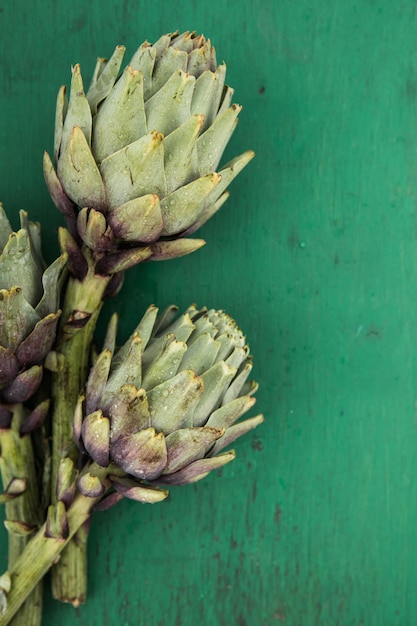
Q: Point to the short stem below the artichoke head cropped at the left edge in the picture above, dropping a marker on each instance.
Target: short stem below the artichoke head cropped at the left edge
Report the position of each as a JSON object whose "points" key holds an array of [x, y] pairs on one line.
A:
{"points": [[17, 461]]}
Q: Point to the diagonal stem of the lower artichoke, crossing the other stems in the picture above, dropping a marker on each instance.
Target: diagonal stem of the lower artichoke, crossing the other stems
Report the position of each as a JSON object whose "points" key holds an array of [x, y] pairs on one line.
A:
{"points": [[41, 553]]}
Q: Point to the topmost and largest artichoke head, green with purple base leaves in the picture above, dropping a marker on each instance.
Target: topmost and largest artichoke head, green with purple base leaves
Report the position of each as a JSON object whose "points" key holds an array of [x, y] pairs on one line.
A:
{"points": [[137, 154]]}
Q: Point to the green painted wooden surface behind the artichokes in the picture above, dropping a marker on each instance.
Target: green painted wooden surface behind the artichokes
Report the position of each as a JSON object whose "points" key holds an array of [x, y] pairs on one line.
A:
{"points": [[315, 254]]}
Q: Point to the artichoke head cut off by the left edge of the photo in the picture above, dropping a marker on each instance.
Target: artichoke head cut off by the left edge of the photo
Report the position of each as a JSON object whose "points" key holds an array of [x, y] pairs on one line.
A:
{"points": [[29, 310]]}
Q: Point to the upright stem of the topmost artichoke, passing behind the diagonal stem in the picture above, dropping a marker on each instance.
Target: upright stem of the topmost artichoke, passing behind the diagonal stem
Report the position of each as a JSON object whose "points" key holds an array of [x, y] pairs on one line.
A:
{"points": [[81, 309]]}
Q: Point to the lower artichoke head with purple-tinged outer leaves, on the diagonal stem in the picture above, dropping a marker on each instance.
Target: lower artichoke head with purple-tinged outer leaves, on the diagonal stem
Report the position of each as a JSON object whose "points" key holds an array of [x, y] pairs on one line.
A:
{"points": [[159, 410]]}
